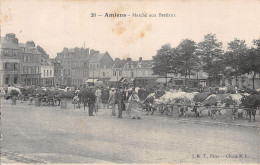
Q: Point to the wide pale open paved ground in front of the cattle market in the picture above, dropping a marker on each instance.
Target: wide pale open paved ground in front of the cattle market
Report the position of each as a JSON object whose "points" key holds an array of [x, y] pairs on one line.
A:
{"points": [[53, 135]]}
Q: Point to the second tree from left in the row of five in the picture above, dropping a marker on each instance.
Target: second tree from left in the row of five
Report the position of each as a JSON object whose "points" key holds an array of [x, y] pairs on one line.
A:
{"points": [[186, 57]]}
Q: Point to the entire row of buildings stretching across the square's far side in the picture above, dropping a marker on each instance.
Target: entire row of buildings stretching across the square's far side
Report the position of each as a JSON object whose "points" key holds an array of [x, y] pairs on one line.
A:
{"points": [[26, 64]]}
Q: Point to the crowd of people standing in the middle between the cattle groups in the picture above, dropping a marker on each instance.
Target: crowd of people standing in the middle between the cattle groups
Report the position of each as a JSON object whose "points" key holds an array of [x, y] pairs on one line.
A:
{"points": [[117, 99]]}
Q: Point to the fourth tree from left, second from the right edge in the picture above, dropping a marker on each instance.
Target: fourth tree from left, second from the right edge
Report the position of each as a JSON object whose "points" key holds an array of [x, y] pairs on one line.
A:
{"points": [[234, 58]]}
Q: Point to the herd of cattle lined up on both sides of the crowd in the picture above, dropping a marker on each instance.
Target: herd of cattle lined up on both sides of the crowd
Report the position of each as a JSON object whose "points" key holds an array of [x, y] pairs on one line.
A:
{"points": [[171, 102]]}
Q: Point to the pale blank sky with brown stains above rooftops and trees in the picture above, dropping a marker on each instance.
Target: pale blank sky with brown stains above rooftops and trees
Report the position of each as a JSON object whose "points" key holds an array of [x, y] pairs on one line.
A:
{"points": [[55, 24]]}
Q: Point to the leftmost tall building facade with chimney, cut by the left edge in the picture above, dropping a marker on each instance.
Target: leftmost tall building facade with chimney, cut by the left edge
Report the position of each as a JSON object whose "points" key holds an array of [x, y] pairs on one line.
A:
{"points": [[10, 66]]}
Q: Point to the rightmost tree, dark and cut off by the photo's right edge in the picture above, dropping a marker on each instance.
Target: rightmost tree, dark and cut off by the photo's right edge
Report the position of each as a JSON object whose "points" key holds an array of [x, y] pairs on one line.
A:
{"points": [[252, 61]]}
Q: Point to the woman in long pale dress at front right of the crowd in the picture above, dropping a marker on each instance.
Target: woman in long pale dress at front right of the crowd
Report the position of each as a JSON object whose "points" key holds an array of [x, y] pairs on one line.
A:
{"points": [[134, 110]]}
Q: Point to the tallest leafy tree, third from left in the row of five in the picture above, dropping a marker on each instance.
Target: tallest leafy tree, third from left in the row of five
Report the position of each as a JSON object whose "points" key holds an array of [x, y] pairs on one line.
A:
{"points": [[210, 52]]}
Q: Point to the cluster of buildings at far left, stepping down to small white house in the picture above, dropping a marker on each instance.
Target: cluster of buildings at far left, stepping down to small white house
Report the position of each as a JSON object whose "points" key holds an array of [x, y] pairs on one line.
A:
{"points": [[23, 64]]}
